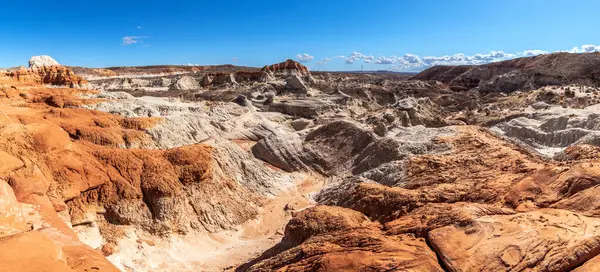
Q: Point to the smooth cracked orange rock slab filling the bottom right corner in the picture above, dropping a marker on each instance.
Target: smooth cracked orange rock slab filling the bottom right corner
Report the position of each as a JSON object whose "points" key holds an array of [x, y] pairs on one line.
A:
{"points": [[557, 240]]}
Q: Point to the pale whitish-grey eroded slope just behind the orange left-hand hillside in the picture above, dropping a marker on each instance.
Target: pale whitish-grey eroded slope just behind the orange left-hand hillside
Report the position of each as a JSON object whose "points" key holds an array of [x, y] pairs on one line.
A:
{"points": [[189, 123]]}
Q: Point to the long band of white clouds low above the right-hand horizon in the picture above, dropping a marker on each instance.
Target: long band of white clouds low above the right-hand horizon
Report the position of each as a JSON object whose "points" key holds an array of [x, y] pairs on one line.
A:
{"points": [[412, 62]]}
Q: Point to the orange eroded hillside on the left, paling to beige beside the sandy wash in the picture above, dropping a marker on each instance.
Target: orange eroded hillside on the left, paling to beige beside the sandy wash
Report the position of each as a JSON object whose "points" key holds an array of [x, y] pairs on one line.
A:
{"points": [[69, 167]]}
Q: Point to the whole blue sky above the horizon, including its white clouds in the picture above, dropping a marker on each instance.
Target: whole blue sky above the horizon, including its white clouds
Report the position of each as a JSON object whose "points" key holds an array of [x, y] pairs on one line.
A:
{"points": [[396, 34]]}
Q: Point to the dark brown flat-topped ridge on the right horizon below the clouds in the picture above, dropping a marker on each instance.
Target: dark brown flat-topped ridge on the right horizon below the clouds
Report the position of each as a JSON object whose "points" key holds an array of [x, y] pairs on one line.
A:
{"points": [[519, 74]]}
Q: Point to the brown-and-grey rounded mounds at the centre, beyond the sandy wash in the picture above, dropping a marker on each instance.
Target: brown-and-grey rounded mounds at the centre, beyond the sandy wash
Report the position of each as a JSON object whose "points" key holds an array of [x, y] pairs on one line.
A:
{"points": [[344, 147]]}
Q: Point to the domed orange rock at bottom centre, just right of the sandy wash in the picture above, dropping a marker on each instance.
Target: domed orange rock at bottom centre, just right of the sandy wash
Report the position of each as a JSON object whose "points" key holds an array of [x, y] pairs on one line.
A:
{"points": [[337, 239]]}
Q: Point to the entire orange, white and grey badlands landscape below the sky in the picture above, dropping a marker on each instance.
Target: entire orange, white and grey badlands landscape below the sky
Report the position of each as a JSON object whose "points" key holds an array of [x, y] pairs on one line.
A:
{"points": [[226, 168]]}
